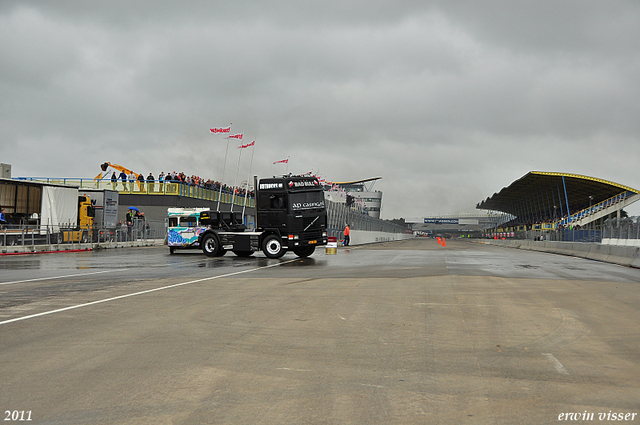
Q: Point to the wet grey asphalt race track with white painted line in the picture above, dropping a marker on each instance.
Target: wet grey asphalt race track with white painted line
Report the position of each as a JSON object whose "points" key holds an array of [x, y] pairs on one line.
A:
{"points": [[393, 333]]}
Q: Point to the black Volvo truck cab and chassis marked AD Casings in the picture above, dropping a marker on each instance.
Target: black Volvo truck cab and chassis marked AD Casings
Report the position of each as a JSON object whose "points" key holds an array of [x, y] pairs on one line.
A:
{"points": [[290, 216]]}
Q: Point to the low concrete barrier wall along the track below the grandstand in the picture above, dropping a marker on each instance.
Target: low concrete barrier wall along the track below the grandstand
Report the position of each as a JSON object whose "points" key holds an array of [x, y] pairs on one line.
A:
{"points": [[622, 255]]}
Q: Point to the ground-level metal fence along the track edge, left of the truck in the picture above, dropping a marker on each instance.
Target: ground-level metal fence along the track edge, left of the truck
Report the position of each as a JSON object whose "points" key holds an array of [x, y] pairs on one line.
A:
{"points": [[57, 237]]}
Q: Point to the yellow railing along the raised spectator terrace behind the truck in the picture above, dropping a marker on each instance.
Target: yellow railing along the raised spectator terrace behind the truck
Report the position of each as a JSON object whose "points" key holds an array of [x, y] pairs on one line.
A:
{"points": [[154, 188]]}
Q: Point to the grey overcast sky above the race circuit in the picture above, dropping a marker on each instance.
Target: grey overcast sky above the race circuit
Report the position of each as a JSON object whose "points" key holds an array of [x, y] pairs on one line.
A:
{"points": [[447, 101]]}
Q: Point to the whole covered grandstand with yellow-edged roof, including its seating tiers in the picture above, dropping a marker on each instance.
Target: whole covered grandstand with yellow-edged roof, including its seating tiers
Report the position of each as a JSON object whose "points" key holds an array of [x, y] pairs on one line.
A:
{"points": [[551, 200]]}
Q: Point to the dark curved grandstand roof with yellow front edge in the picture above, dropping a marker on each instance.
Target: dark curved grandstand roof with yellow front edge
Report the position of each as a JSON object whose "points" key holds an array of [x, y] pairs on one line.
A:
{"points": [[539, 191]]}
